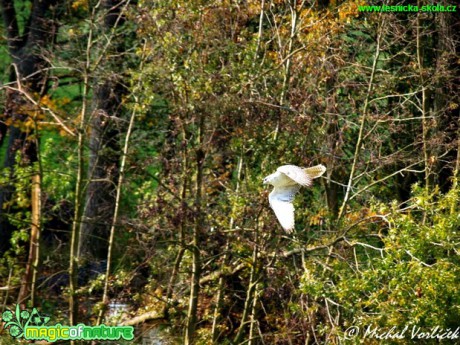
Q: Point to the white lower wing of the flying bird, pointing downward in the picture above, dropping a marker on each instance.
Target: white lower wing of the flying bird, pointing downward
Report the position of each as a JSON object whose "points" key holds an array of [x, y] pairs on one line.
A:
{"points": [[281, 202]]}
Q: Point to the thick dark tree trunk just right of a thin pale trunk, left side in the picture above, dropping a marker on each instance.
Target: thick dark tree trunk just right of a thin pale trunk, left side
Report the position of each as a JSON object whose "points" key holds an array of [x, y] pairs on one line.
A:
{"points": [[104, 146]]}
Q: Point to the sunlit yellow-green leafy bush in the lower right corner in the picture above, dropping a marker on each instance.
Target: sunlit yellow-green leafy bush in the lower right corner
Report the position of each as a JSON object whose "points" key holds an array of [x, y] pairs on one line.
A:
{"points": [[411, 278]]}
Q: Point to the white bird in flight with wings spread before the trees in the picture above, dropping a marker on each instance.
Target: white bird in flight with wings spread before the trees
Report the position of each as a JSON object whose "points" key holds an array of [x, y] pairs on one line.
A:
{"points": [[287, 181]]}
